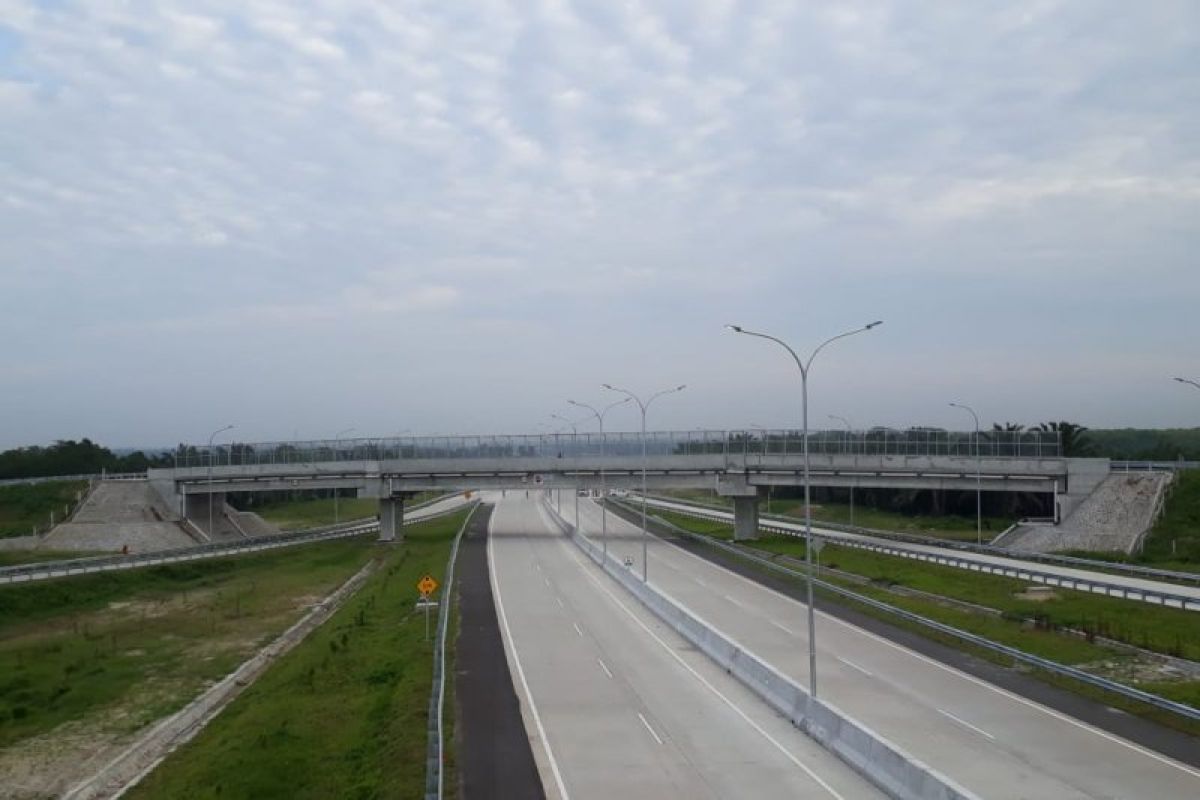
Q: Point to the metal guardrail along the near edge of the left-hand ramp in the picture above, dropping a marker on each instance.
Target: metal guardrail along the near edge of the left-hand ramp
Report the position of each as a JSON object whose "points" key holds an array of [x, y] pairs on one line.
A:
{"points": [[47, 570]]}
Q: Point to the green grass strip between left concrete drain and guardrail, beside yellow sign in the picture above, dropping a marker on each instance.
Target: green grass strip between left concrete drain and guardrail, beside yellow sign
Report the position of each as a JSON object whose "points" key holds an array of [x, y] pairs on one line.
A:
{"points": [[344, 715]]}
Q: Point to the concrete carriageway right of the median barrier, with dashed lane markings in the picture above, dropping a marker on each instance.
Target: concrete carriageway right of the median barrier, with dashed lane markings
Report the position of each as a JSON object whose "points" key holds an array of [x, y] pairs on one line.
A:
{"points": [[987, 739]]}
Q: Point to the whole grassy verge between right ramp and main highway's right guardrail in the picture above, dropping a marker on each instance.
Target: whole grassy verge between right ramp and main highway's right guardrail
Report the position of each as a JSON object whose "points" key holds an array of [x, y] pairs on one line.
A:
{"points": [[1163, 630]]}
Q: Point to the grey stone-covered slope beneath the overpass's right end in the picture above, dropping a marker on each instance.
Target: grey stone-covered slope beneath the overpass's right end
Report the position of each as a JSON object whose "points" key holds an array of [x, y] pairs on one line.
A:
{"points": [[1112, 519]]}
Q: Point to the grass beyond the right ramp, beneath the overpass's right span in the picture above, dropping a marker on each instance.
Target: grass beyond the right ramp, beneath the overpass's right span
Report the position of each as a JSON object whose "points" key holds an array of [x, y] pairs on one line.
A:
{"points": [[949, 527]]}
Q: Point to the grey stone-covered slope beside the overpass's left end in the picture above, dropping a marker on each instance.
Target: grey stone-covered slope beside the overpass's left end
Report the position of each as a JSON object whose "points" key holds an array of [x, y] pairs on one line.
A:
{"points": [[117, 515]]}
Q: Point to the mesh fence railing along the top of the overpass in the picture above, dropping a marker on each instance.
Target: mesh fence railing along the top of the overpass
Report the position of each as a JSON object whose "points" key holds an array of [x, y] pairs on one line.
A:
{"points": [[735, 444]]}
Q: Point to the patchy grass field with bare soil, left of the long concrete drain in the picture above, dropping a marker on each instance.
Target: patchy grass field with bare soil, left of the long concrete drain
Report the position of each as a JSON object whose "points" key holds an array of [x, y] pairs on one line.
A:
{"points": [[147, 641]]}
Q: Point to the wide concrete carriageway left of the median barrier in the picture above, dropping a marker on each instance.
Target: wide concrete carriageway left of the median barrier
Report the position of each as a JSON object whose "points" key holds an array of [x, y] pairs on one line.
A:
{"points": [[619, 706]]}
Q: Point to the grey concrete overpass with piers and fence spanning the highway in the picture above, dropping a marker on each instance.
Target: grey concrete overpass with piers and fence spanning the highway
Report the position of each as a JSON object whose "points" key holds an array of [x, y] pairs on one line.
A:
{"points": [[734, 464]]}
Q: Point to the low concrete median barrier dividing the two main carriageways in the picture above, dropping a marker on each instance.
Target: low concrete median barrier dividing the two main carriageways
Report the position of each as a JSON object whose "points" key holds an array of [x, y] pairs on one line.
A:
{"points": [[878, 760]]}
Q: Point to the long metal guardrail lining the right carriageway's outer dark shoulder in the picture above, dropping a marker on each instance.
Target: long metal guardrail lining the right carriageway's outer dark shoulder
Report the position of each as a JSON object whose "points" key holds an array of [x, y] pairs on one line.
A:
{"points": [[971, 639]]}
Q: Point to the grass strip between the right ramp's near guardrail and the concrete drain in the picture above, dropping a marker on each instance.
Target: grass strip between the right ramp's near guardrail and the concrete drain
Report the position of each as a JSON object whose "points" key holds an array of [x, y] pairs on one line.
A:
{"points": [[1171, 631]]}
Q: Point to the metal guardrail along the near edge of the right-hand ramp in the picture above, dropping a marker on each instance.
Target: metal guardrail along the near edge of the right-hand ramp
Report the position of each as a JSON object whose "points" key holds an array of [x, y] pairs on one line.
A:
{"points": [[1049, 579]]}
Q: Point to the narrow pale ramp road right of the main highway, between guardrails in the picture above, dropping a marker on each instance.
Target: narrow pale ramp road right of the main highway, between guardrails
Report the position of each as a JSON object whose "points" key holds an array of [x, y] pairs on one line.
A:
{"points": [[1133, 584]]}
